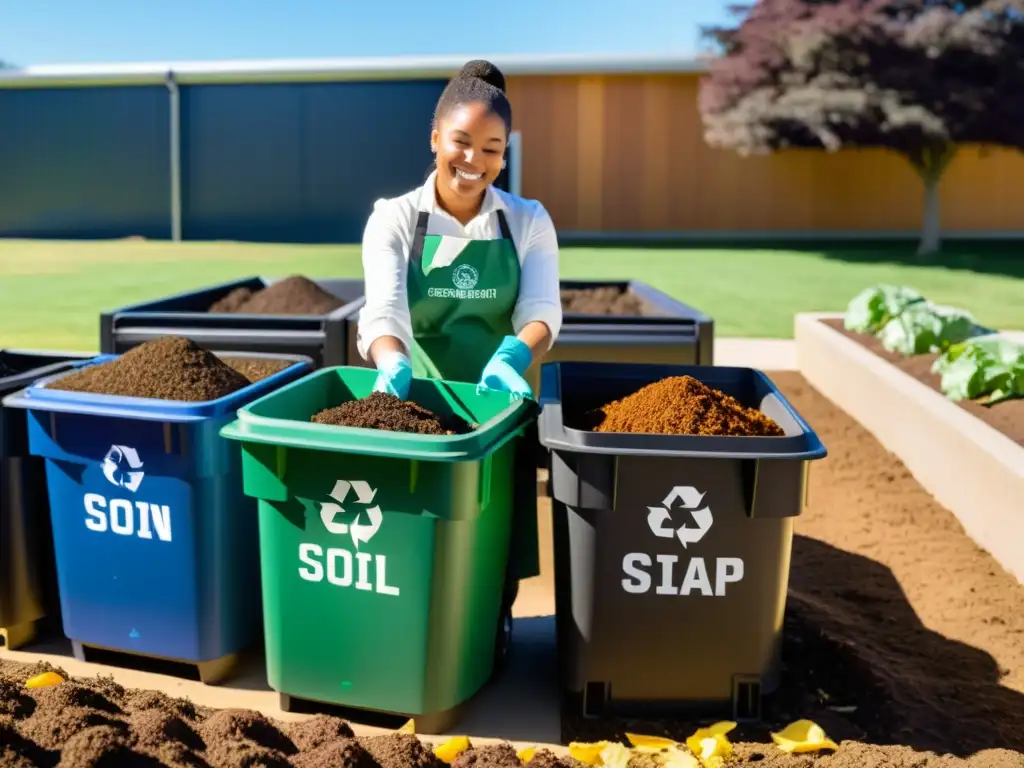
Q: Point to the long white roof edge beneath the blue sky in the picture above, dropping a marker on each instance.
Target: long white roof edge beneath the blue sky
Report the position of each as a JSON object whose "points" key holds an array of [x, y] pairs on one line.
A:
{"points": [[314, 70]]}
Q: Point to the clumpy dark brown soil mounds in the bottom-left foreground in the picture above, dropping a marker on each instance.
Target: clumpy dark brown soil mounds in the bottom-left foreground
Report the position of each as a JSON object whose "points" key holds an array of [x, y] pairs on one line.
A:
{"points": [[96, 723]]}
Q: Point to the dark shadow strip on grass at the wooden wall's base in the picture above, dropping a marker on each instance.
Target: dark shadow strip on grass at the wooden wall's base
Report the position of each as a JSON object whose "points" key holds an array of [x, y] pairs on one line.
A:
{"points": [[984, 259]]}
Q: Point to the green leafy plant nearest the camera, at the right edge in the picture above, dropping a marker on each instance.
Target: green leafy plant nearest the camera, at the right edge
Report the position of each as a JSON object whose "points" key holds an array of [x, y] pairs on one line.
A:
{"points": [[988, 369]]}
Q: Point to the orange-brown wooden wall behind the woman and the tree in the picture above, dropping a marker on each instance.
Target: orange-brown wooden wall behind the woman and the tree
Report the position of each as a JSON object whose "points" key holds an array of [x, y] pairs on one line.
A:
{"points": [[627, 154]]}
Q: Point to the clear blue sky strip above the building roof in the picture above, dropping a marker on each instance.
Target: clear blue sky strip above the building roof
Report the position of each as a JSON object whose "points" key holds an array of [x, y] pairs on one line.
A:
{"points": [[35, 32]]}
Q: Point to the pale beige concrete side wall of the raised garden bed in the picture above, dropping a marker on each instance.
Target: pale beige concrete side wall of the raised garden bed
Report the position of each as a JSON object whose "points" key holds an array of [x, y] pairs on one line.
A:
{"points": [[971, 467]]}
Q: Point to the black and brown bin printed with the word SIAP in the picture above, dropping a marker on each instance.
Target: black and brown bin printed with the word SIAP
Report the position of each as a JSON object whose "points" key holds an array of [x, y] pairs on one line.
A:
{"points": [[672, 552]]}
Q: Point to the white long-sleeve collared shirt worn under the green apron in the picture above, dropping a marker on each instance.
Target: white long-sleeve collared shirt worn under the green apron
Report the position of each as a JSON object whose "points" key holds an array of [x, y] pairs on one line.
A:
{"points": [[389, 240]]}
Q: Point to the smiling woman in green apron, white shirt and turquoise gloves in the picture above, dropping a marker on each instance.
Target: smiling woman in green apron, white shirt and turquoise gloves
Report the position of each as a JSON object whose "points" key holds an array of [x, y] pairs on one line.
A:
{"points": [[470, 275]]}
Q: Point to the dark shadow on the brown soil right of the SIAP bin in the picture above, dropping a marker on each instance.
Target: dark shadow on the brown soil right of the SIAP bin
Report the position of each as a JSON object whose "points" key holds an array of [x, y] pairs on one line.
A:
{"points": [[859, 662]]}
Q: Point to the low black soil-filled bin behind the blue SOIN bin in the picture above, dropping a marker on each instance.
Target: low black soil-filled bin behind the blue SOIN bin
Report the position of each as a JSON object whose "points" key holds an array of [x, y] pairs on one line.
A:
{"points": [[327, 339]]}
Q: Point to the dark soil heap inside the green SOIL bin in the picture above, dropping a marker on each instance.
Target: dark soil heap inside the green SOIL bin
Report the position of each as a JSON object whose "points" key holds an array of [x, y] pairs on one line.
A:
{"points": [[383, 411]]}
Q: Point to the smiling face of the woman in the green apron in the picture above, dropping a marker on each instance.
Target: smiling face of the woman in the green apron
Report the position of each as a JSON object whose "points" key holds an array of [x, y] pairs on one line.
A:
{"points": [[471, 146]]}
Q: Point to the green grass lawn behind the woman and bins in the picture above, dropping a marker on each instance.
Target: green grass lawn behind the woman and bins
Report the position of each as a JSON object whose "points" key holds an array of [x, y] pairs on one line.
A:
{"points": [[52, 292]]}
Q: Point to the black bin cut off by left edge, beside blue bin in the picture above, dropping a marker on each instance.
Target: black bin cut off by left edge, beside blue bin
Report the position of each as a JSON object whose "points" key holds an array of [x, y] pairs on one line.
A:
{"points": [[28, 576]]}
